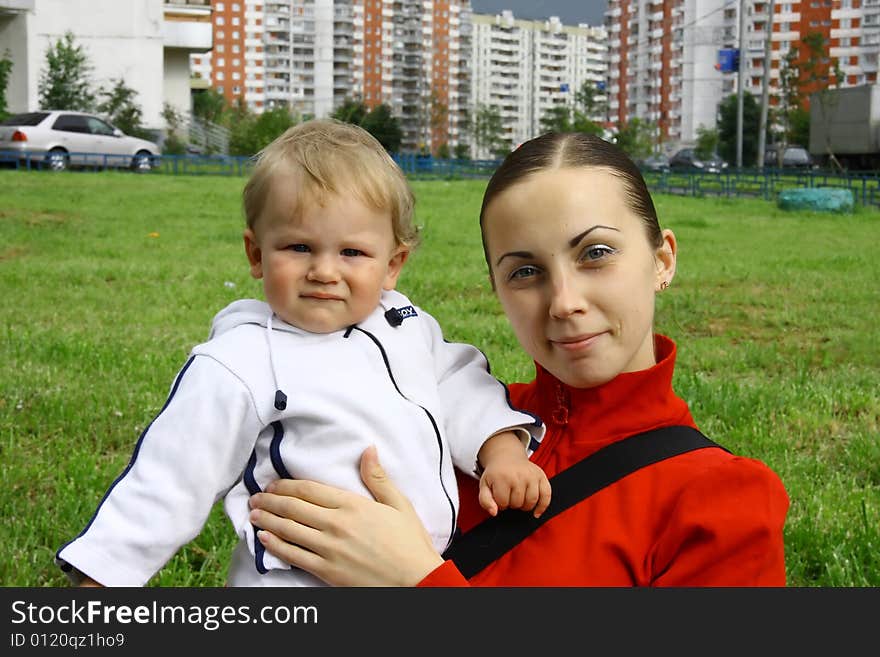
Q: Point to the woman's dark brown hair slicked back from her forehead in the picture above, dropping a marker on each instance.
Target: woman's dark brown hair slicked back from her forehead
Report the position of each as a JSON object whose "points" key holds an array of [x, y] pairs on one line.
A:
{"points": [[558, 150]]}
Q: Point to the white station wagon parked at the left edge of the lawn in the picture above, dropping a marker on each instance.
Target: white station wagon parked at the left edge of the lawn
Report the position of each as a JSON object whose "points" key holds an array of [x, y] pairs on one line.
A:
{"points": [[59, 139]]}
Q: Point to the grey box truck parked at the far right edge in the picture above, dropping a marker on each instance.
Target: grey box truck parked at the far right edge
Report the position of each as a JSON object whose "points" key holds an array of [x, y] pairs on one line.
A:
{"points": [[845, 126]]}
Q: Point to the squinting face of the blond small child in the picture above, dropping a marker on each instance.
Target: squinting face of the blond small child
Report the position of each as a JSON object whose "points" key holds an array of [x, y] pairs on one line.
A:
{"points": [[324, 269]]}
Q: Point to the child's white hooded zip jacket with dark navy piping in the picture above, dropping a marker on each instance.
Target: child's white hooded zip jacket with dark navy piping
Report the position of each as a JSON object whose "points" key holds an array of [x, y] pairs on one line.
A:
{"points": [[263, 400]]}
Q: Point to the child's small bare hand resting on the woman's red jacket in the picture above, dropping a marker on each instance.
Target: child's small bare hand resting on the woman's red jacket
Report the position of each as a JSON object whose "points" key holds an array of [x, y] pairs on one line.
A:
{"points": [[515, 483]]}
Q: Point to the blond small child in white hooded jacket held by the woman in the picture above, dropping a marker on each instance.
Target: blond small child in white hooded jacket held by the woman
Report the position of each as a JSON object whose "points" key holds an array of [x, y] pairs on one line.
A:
{"points": [[298, 386]]}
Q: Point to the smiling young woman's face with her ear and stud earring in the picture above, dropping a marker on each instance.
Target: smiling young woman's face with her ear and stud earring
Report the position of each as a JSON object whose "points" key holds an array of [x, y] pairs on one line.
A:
{"points": [[575, 273]]}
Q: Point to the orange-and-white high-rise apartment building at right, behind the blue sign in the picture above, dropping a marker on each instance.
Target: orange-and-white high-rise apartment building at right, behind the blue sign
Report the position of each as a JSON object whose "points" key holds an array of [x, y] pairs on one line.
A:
{"points": [[662, 54]]}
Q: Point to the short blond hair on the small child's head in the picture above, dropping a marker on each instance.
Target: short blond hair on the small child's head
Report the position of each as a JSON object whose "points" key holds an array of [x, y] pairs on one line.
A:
{"points": [[326, 156]]}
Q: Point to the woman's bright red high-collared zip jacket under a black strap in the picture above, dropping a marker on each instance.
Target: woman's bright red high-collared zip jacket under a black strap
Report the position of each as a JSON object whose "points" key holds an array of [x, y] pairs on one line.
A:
{"points": [[704, 518]]}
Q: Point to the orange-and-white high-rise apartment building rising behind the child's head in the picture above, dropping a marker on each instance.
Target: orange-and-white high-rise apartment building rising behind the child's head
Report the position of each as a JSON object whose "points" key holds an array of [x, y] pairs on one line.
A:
{"points": [[311, 55]]}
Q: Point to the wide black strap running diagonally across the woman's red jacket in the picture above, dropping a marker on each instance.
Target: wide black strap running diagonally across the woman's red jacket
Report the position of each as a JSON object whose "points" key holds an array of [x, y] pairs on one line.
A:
{"points": [[493, 537]]}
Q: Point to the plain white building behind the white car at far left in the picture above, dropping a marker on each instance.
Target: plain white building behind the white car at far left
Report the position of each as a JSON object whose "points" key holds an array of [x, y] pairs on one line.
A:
{"points": [[147, 43]]}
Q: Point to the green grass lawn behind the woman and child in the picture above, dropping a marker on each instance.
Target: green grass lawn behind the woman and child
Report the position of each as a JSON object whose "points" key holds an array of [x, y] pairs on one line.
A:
{"points": [[109, 278]]}
